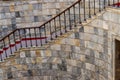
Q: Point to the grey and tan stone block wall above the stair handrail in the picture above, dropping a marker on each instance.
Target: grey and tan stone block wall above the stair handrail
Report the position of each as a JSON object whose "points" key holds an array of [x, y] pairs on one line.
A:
{"points": [[28, 13]]}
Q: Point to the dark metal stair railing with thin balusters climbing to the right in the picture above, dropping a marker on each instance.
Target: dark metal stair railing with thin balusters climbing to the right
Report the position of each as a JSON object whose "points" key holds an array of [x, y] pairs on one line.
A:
{"points": [[78, 12]]}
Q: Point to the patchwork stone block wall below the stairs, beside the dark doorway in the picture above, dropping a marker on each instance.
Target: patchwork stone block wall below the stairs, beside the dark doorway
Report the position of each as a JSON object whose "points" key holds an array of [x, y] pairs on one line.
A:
{"points": [[86, 53]]}
